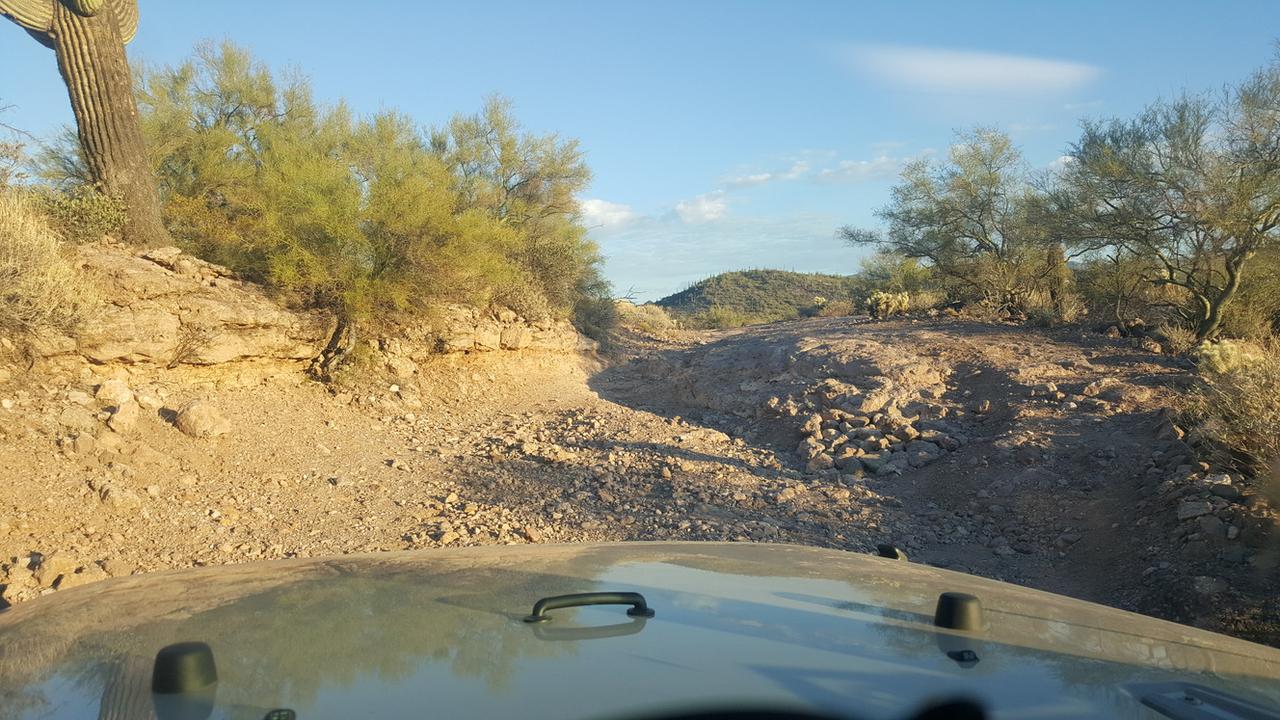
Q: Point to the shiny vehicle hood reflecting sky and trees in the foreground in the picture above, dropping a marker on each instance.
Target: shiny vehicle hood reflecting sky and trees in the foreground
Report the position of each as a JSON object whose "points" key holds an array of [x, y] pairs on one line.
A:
{"points": [[397, 635]]}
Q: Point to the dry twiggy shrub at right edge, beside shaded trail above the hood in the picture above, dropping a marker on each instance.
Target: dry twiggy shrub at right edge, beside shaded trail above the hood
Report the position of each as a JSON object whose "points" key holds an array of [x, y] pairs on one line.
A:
{"points": [[1237, 407]]}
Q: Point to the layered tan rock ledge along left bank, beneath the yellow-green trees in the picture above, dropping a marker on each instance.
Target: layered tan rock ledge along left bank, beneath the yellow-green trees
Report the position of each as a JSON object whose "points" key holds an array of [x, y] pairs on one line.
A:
{"points": [[164, 308]]}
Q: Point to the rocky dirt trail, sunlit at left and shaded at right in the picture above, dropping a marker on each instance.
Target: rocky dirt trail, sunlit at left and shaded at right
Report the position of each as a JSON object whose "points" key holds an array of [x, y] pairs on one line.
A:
{"points": [[1041, 458]]}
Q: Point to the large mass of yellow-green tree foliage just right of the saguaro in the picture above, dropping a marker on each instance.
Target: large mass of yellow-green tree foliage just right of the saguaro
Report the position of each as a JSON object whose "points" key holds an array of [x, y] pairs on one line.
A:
{"points": [[368, 217]]}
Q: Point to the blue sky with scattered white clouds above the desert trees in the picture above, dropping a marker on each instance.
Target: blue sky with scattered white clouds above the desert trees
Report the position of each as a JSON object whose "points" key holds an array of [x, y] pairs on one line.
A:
{"points": [[721, 135]]}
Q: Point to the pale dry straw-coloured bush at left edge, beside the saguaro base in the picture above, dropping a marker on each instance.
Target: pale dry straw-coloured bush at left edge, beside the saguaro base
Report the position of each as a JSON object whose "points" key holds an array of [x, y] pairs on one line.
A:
{"points": [[40, 288]]}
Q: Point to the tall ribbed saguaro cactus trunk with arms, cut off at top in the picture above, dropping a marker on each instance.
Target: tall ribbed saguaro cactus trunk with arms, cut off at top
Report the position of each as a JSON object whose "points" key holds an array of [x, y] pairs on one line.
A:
{"points": [[89, 39]]}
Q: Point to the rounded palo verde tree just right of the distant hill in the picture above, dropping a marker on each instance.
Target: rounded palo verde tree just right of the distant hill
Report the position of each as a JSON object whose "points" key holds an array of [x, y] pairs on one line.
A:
{"points": [[973, 218]]}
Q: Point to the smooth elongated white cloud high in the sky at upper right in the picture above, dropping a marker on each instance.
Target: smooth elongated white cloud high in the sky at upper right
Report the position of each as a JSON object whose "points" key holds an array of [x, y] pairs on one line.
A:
{"points": [[962, 71]]}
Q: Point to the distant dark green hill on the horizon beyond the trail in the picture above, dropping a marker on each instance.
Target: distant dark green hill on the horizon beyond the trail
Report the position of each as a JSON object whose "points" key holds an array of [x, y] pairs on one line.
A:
{"points": [[765, 295]]}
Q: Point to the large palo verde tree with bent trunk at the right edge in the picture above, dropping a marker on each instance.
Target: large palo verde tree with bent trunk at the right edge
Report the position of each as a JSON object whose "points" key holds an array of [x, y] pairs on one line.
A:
{"points": [[1191, 188]]}
